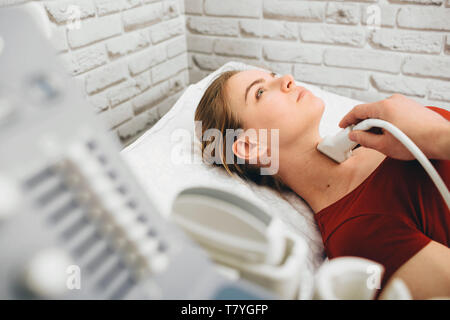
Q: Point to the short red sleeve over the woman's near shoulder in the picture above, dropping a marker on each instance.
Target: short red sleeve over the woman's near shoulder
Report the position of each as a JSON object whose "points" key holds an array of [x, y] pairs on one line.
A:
{"points": [[386, 239]]}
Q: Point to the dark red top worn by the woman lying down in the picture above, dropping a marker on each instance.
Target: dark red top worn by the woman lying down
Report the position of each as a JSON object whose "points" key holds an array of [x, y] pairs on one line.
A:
{"points": [[390, 216]]}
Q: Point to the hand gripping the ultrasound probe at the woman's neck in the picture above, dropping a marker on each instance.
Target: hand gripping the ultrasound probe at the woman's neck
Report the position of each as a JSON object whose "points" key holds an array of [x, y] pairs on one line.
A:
{"points": [[426, 128]]}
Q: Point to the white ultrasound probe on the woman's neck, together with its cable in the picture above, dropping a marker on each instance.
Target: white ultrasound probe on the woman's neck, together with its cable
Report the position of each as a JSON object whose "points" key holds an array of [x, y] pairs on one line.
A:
{"points": [[339, 148]]}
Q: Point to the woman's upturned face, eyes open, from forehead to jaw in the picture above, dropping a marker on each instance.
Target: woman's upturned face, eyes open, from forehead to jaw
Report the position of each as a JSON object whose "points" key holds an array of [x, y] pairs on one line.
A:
{"points": [[265, 101]]}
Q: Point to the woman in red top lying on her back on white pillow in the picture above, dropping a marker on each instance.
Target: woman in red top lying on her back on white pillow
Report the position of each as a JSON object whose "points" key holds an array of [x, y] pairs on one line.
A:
{"points": [[369, 206]]}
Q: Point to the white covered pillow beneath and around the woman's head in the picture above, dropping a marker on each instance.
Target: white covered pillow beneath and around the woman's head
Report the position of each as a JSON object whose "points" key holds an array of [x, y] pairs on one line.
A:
{"points": [[155, 159]]}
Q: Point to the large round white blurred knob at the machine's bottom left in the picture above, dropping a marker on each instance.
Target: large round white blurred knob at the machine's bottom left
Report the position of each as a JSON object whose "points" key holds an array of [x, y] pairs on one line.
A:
{"points": [[46, 275]]}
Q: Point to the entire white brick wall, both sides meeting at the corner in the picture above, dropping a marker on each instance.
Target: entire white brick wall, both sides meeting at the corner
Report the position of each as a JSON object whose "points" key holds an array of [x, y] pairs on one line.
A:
{"points": [[134, 57]]}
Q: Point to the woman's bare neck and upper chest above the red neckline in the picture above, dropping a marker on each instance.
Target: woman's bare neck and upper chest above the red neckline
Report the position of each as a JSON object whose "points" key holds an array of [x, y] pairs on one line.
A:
{"points": [[321, 181]]}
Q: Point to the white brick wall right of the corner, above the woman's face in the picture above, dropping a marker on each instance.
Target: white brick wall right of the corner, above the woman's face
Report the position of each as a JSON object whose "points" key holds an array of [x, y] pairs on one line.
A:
{"points": [[332, 44]]}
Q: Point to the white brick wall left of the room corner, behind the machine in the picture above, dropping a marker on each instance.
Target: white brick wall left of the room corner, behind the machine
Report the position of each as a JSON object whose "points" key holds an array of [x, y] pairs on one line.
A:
{"points": [[129, 55]]}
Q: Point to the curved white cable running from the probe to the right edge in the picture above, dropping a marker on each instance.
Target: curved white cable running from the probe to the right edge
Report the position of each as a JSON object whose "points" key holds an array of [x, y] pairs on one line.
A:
{"points": [[412, 147]]}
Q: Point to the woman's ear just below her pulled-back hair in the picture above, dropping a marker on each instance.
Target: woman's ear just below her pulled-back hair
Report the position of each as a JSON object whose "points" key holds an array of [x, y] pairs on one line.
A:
{"points": [[248, 148]]}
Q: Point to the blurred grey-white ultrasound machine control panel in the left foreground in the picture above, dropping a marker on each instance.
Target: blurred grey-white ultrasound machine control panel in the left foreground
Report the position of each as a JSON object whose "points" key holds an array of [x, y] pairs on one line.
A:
{"points": [[74, 223]]}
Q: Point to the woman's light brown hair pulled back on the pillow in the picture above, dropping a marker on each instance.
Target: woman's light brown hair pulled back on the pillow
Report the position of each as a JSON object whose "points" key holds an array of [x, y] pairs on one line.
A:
{"points": [[214, 112]]}
